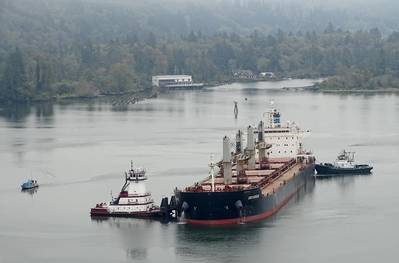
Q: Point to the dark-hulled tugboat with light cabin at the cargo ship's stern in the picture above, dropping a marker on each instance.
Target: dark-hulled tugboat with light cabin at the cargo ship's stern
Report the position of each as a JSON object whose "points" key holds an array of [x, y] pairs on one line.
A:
{"points": [[343, 165]]}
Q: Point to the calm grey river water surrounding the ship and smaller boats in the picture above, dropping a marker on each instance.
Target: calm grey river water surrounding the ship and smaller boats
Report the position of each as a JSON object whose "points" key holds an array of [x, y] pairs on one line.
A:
{"points": [[78, 151]]}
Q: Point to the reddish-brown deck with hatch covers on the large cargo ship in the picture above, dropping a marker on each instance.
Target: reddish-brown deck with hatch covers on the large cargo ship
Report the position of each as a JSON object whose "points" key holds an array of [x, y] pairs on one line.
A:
{"points": [[280, 171]]}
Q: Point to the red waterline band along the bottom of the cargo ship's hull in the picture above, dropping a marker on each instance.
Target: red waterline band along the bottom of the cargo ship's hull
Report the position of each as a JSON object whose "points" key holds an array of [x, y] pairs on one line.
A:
{"points": [[234, 221]]}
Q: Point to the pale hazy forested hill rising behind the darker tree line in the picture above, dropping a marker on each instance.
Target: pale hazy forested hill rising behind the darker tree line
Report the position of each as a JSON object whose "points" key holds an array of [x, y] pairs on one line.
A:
{"points": [[53, 22]]}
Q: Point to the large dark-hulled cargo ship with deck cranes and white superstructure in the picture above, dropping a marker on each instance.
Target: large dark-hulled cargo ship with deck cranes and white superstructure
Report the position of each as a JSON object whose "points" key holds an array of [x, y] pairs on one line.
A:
{"points": [[252, 183]]}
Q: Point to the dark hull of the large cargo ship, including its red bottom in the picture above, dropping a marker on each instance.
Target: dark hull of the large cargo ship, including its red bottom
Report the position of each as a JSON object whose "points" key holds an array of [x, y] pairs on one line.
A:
{"points": [[226, 208]]}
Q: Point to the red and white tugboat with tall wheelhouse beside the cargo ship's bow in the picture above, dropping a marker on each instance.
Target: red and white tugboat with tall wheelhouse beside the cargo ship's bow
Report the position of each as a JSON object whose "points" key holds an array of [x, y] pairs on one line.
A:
{"points": [[133, 200]]}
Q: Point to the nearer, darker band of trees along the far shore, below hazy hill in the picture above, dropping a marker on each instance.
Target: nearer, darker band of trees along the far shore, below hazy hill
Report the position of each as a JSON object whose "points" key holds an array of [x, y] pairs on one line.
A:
{"points": [[361, 59]]}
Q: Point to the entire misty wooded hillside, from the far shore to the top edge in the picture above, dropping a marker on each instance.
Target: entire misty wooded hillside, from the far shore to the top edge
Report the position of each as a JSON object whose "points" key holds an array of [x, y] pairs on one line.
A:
{"points": [[56, 48]]}
